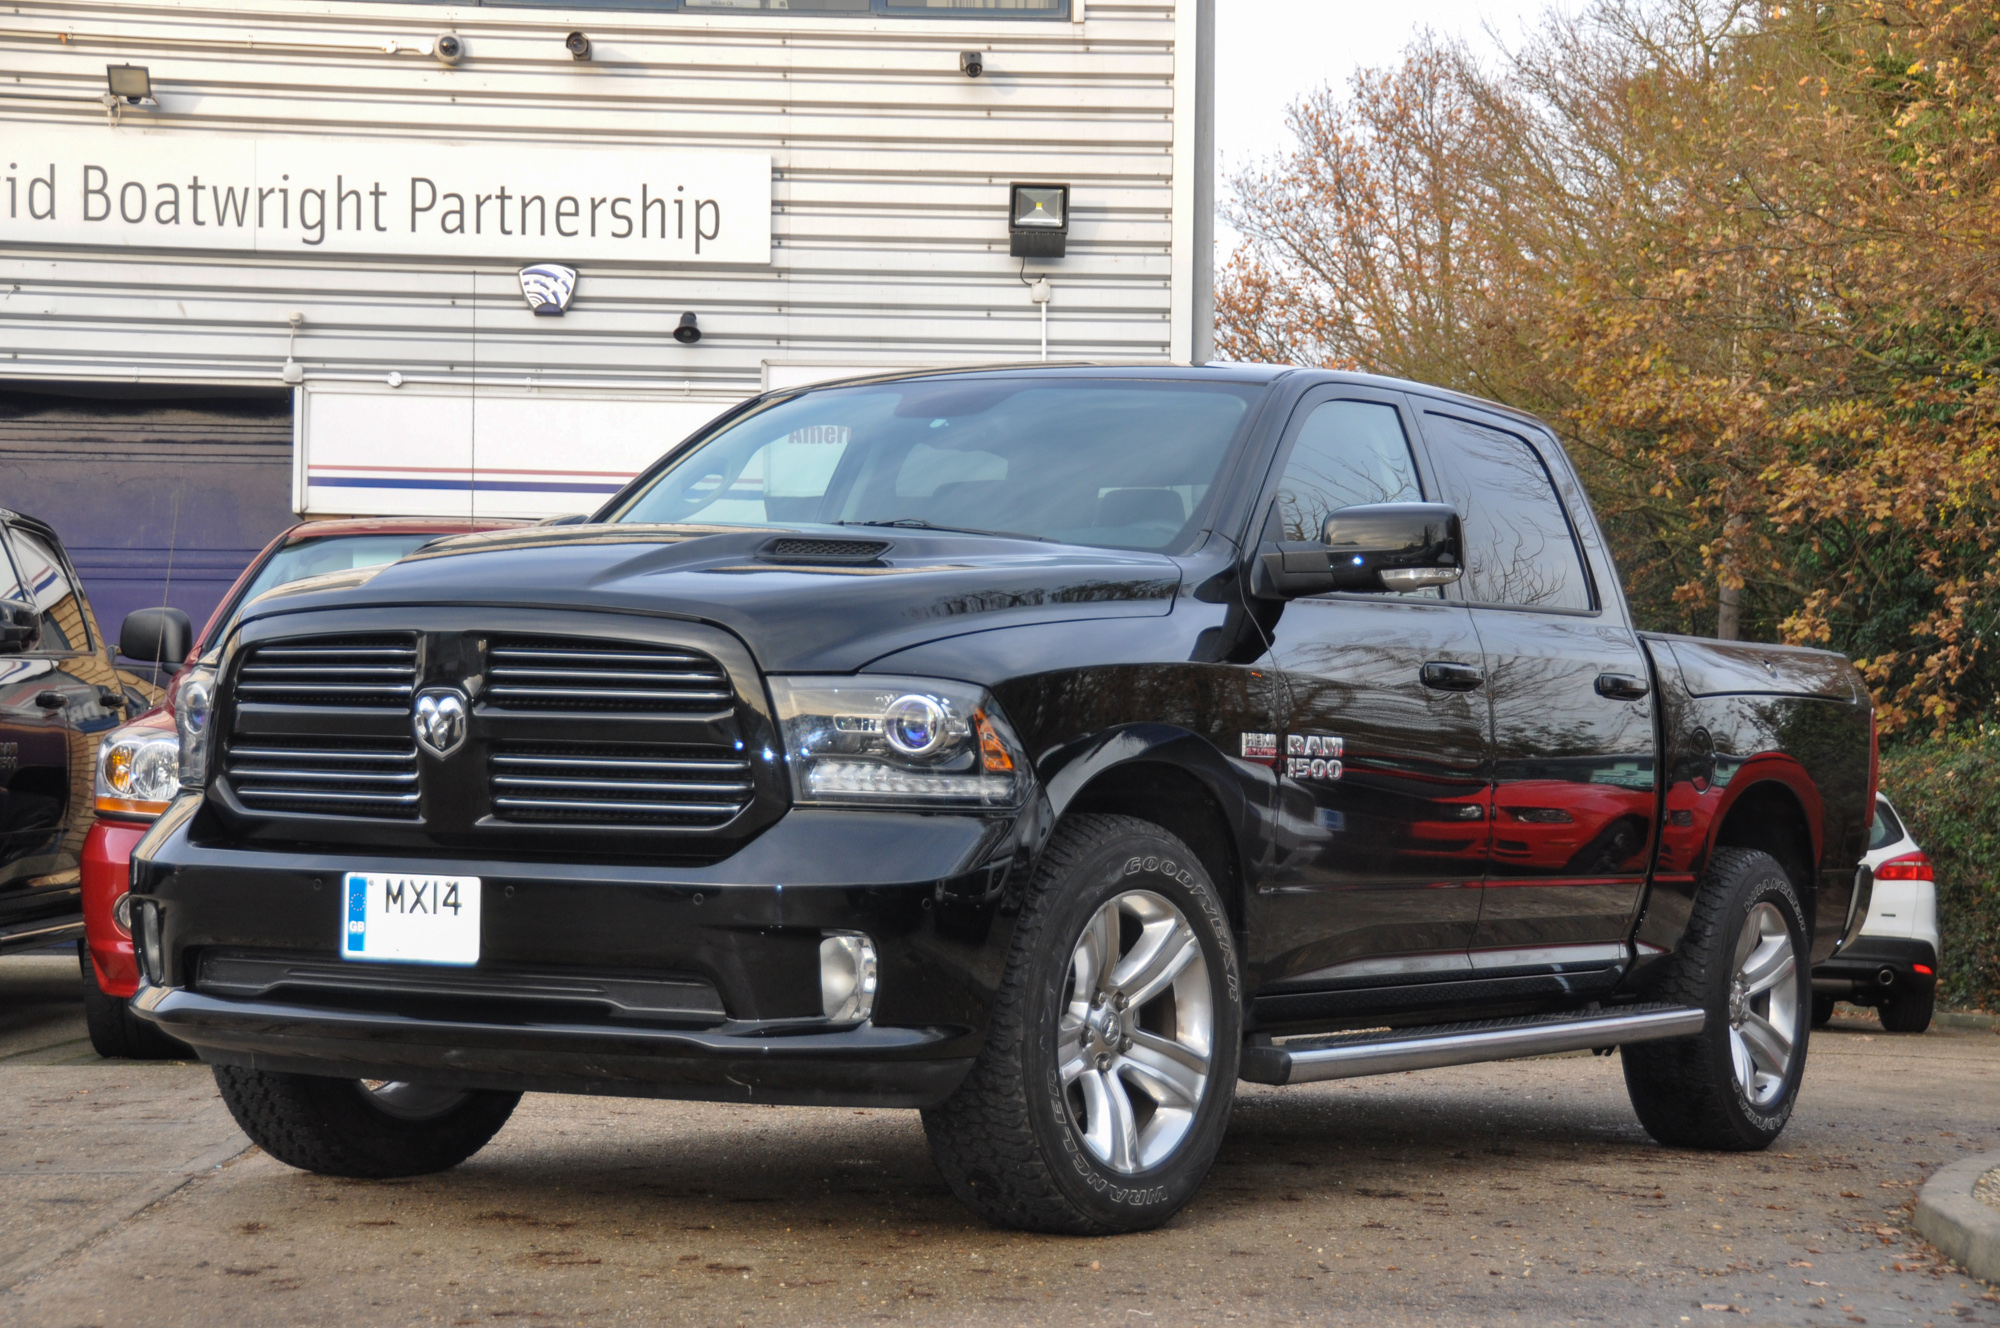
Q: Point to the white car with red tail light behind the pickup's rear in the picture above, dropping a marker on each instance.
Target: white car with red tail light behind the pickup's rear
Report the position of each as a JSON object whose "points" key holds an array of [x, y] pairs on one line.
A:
{"points": [[1893, 965]]}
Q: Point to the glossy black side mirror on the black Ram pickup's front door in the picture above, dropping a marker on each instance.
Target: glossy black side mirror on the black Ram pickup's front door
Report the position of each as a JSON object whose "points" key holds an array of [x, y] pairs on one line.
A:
{"points": [[1369, 549]]}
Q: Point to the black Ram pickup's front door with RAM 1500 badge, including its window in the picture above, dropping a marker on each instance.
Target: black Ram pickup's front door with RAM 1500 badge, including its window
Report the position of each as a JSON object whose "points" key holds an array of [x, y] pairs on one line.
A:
{"points": [[1383, 749]]}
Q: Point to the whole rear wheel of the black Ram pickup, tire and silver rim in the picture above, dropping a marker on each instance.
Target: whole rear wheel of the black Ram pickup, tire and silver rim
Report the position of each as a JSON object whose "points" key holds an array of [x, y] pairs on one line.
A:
{"points": [[1743, 961]]}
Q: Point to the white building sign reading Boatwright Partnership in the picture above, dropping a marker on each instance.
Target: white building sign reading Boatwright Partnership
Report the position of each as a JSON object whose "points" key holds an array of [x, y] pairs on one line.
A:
{"points": [[309, 195]]}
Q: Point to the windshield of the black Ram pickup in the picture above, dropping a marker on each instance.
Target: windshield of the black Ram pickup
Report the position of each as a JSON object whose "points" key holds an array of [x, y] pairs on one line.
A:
{"points": [[1117, 463]]}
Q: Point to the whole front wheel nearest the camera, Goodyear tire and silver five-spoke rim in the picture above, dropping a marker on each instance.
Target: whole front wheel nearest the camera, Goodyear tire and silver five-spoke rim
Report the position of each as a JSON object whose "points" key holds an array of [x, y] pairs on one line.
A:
{"points": [[1109, 1071]]}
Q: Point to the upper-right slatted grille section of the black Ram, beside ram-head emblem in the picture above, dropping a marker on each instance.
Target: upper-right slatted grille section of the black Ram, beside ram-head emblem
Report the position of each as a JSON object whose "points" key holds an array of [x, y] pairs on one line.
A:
{"points": [[603, 677]]}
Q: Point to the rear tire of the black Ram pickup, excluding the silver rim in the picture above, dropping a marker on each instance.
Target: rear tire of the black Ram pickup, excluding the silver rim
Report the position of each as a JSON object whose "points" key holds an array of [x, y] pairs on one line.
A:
{"points": [[1685, 1089]]}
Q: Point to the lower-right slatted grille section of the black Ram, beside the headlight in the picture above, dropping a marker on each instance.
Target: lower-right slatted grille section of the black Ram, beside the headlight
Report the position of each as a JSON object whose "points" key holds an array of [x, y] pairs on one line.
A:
{"points": [[619, 785]]}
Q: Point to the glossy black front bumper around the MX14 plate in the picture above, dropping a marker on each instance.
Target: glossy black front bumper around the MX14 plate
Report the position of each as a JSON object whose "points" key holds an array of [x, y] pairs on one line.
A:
{"points": [[935, 893]]}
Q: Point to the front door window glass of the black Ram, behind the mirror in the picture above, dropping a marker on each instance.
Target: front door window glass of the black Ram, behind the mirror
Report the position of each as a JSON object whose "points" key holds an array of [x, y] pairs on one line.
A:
{"points": [[1345, 455]]}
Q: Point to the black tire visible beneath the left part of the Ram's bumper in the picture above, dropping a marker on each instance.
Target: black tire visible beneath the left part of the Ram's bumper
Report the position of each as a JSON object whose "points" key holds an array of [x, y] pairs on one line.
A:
{"points": [[333, 1127]]}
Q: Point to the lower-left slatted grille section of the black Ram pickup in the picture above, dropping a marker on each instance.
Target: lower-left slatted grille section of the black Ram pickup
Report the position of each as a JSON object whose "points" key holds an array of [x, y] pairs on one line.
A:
{"points": [[325, 777]]}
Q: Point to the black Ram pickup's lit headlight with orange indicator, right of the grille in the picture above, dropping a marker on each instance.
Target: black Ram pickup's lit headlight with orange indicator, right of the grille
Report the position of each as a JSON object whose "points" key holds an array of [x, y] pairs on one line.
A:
{"points": [[899, 743]]}
